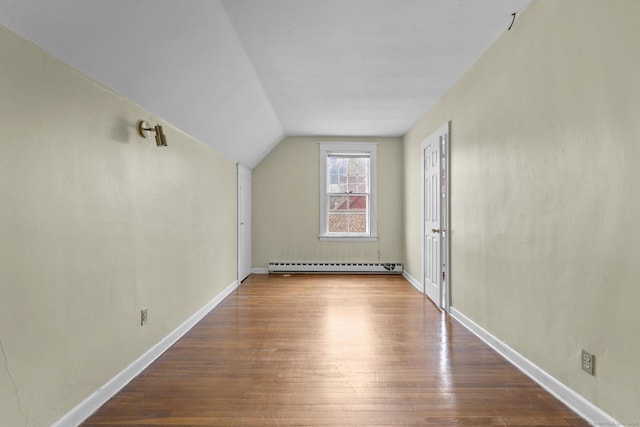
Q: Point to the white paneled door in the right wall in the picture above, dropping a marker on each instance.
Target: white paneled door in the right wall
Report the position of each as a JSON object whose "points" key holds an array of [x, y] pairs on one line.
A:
{"points": [[434, 217]]}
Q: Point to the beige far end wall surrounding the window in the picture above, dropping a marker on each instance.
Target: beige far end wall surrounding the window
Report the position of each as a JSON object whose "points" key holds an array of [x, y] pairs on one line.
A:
{"points": [[286, 206]]}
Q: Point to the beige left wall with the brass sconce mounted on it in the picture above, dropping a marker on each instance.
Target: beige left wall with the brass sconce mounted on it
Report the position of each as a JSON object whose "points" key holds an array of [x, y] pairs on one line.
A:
{"points": [[95, 224]]}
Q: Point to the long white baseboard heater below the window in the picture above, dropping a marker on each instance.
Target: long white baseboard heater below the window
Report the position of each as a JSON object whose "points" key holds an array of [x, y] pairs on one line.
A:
{"points": [[335, 267]]}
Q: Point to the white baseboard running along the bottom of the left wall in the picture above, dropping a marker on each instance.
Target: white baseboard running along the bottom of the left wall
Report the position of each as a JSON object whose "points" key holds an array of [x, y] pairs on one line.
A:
{"points": [[87, 407]]}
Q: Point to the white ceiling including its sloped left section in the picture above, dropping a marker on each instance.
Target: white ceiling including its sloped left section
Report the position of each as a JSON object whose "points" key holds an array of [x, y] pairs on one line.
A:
{"points": [[239, 75]]}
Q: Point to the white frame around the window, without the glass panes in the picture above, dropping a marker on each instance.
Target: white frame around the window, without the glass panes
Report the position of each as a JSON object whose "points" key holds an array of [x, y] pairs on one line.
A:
{"points": [[371, 148]]}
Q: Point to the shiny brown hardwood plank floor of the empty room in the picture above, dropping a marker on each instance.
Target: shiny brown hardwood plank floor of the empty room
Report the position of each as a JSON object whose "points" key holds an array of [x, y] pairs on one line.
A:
{"points": [[330, 351]]}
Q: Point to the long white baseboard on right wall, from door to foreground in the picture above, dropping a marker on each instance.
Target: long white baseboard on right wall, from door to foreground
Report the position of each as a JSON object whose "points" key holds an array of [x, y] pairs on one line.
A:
{"points": [[573, 400]]}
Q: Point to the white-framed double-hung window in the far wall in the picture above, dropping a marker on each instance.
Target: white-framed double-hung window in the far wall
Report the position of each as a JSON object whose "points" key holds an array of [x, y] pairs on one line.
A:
{"points": [[347, 191]]}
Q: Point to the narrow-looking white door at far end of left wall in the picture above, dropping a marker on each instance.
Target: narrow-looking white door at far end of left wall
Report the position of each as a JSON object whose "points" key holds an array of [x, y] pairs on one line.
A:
{"points": [[244, 222]]}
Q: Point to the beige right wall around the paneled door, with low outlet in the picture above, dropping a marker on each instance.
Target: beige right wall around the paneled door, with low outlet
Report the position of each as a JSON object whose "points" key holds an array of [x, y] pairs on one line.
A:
{"points": [[545, 202]]}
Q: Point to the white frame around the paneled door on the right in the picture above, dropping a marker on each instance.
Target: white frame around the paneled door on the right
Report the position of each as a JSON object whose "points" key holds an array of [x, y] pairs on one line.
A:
{"points": [[445, 219]]}
